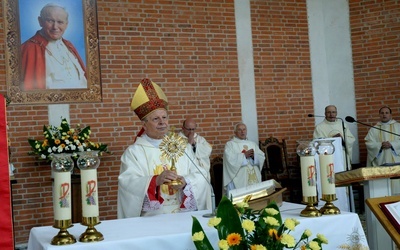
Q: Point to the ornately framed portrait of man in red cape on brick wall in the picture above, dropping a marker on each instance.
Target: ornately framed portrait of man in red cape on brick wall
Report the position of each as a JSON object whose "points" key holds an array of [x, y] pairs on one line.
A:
{"points": [[52, 51]]}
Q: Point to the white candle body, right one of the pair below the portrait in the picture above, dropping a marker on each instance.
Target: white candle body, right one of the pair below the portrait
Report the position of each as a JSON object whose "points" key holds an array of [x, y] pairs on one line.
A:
{"points": [[90, 201]]}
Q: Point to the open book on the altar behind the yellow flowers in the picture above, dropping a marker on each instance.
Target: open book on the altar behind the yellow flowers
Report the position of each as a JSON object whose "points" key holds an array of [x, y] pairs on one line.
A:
{"points": [[256, 191]]}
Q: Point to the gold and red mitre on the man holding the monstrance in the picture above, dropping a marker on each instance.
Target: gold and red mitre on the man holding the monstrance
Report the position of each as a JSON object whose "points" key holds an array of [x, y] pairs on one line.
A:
{"points": [[147, 98]]}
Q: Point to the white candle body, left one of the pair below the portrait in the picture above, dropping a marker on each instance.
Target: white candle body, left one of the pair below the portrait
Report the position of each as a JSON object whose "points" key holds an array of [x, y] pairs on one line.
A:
{"points": [[62, 195]]}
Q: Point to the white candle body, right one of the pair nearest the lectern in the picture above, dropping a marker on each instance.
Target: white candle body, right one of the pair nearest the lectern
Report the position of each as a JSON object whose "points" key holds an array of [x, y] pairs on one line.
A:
{"points": [[327, 174]]}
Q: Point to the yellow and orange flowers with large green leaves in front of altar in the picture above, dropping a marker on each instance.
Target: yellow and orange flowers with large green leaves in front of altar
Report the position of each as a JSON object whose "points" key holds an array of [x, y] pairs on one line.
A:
{"points": [[240, 227]]}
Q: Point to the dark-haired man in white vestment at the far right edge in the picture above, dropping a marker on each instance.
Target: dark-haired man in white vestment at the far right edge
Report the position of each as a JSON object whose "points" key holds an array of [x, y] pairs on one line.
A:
{"points": [[384, 147]]}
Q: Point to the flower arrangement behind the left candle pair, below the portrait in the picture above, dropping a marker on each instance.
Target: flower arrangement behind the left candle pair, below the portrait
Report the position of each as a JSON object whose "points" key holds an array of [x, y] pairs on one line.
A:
{"points": [[64, 139]]}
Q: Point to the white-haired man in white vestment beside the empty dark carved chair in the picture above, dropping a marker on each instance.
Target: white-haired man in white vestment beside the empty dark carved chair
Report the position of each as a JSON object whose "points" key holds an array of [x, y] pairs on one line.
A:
{"points": [[242, 161]]}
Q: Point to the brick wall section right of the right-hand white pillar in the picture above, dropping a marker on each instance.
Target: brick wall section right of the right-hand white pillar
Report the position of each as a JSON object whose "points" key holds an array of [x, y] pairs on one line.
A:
{"points": [[375, 29]]}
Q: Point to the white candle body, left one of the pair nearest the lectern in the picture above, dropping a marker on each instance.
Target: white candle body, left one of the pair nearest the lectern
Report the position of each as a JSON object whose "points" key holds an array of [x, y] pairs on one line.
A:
{"points": [[308, 178]]}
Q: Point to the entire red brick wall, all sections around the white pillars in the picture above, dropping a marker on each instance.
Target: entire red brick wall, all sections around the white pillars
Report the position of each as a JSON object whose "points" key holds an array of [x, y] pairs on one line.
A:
{"points": [[189, 49]]}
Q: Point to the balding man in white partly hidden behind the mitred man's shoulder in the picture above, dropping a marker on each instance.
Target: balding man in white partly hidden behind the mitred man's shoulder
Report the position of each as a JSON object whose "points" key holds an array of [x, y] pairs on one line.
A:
{"points": [[200, 148]]}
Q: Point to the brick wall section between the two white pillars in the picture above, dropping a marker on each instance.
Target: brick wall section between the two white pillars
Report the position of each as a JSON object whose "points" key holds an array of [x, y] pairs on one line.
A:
{"points": [[282, 71]]}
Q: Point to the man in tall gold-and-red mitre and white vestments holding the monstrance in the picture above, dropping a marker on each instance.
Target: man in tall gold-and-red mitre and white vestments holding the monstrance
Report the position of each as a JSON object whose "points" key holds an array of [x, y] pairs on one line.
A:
{"points": [[145, 182]]}
